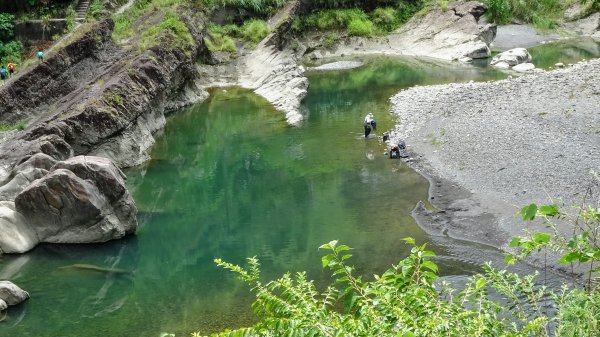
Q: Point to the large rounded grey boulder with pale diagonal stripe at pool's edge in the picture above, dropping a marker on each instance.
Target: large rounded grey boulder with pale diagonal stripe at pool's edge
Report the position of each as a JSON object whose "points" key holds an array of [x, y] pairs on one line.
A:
{"points": [[83, 199]]}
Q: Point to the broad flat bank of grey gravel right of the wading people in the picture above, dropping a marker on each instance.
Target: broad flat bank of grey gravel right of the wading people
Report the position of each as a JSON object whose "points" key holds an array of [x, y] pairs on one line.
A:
{"points": [[490, 148]]}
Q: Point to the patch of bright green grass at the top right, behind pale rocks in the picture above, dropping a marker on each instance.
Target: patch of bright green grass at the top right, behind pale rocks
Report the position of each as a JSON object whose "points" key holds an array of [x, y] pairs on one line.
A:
{"points": [[543, 14]]}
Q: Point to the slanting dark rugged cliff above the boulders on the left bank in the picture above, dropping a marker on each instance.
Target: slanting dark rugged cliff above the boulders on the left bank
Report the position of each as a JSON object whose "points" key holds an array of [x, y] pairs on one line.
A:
{"points": [[94, 96]]}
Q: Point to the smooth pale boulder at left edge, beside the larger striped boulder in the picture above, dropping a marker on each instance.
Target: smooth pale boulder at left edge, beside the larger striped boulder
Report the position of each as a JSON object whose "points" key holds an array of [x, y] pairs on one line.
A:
{"points": [[17, 236]]}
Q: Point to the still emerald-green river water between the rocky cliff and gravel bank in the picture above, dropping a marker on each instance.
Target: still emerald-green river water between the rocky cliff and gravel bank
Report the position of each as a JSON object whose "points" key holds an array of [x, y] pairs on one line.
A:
{"points": [[230, 179]]}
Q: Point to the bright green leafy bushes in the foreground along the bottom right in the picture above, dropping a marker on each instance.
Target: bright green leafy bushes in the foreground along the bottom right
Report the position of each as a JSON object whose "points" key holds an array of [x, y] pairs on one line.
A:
{"points": [[408, 300]]}
